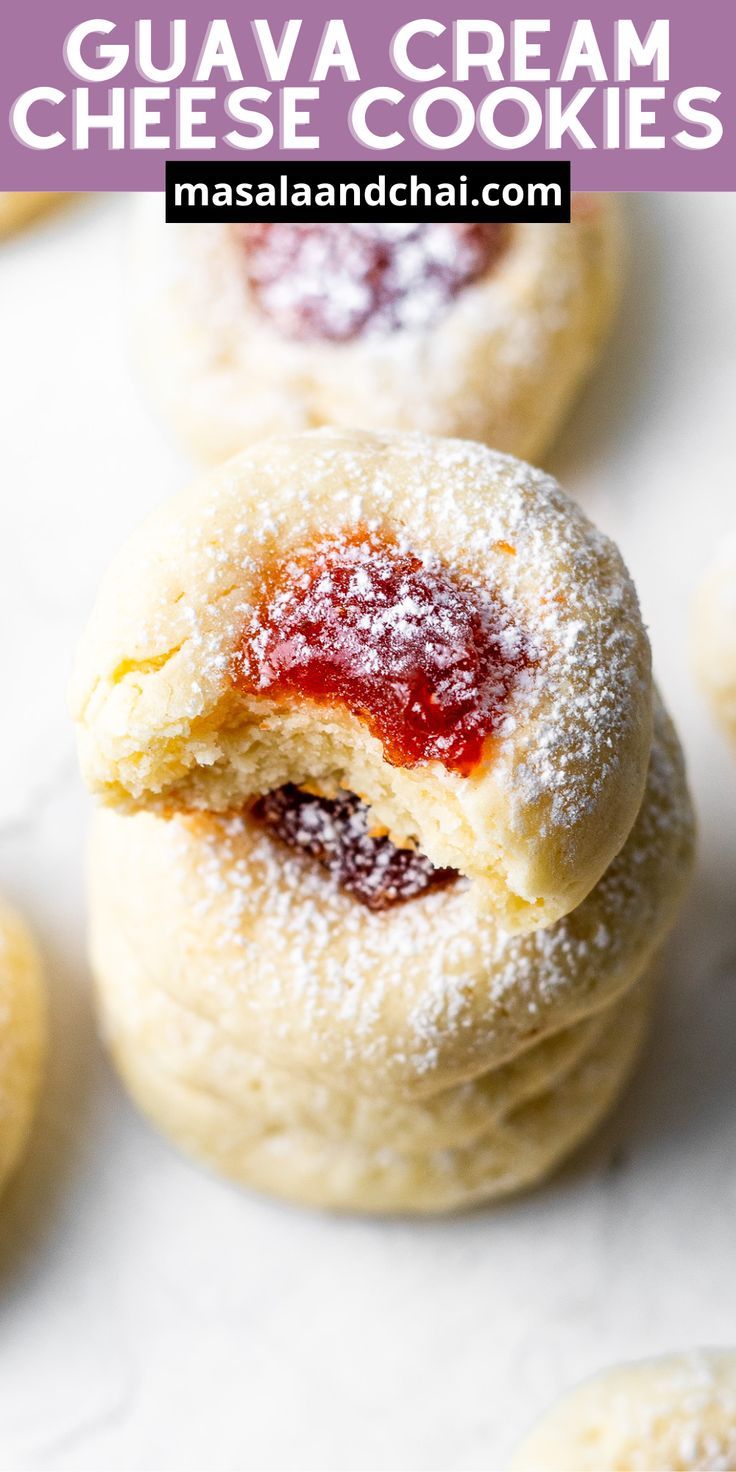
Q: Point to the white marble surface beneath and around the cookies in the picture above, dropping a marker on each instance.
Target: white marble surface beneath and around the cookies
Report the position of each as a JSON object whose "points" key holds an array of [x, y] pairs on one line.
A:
{"points": [[152, 1318]]}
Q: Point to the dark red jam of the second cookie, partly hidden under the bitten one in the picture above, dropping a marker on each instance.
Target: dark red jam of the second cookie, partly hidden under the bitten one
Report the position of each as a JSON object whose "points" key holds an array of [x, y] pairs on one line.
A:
{"points": [[338, 834]]}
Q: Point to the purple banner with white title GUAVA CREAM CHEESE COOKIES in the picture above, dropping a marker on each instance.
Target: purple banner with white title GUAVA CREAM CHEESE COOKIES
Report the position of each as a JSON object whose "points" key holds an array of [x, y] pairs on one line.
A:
{"points": [[635, 99]]}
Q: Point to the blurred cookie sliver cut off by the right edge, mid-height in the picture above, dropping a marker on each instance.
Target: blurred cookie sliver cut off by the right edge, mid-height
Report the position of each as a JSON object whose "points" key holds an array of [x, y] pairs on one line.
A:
{"points": [[716, 638]]}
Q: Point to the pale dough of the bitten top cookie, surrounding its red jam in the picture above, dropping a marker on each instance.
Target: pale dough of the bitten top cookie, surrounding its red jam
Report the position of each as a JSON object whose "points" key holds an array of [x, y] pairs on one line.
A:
{"points": [[572, 747]]}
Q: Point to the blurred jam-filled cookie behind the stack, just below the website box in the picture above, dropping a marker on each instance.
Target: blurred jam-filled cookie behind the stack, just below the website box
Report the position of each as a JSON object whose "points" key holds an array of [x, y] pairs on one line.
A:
{"points": [[482, 332]]}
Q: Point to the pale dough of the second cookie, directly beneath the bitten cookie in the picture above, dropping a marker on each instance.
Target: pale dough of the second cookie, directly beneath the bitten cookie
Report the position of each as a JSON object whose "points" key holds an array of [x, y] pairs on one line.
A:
{"points": [[280, 962]]}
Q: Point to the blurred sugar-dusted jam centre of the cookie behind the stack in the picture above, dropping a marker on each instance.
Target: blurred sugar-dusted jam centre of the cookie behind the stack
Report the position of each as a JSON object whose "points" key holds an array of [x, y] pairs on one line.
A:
{"points": [[341, 282]]}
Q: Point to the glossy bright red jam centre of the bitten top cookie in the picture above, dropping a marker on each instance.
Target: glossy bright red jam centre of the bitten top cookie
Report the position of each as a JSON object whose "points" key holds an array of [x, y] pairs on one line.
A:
{"points": [[428, 663]]}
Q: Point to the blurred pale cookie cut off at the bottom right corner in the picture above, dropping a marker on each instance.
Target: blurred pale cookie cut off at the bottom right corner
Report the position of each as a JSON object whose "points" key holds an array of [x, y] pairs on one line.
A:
{"points": [[670, 1415]]}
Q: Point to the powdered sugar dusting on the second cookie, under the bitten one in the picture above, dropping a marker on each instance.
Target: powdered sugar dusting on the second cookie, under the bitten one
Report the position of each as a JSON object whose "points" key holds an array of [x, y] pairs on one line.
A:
{"points": [[397, 990]]}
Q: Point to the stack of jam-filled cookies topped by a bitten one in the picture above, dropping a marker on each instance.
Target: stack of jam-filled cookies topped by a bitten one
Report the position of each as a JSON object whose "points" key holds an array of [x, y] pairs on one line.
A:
{"points": [[392, 824]]}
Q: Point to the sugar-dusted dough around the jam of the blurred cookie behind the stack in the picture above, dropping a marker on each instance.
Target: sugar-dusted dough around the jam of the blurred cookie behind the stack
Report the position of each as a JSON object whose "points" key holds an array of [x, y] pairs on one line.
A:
{"points": [[232, 376]]}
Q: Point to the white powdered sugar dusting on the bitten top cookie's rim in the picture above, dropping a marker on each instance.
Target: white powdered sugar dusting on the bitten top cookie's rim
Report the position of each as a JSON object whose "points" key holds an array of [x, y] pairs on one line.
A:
{"points": [[567, 728]]}
